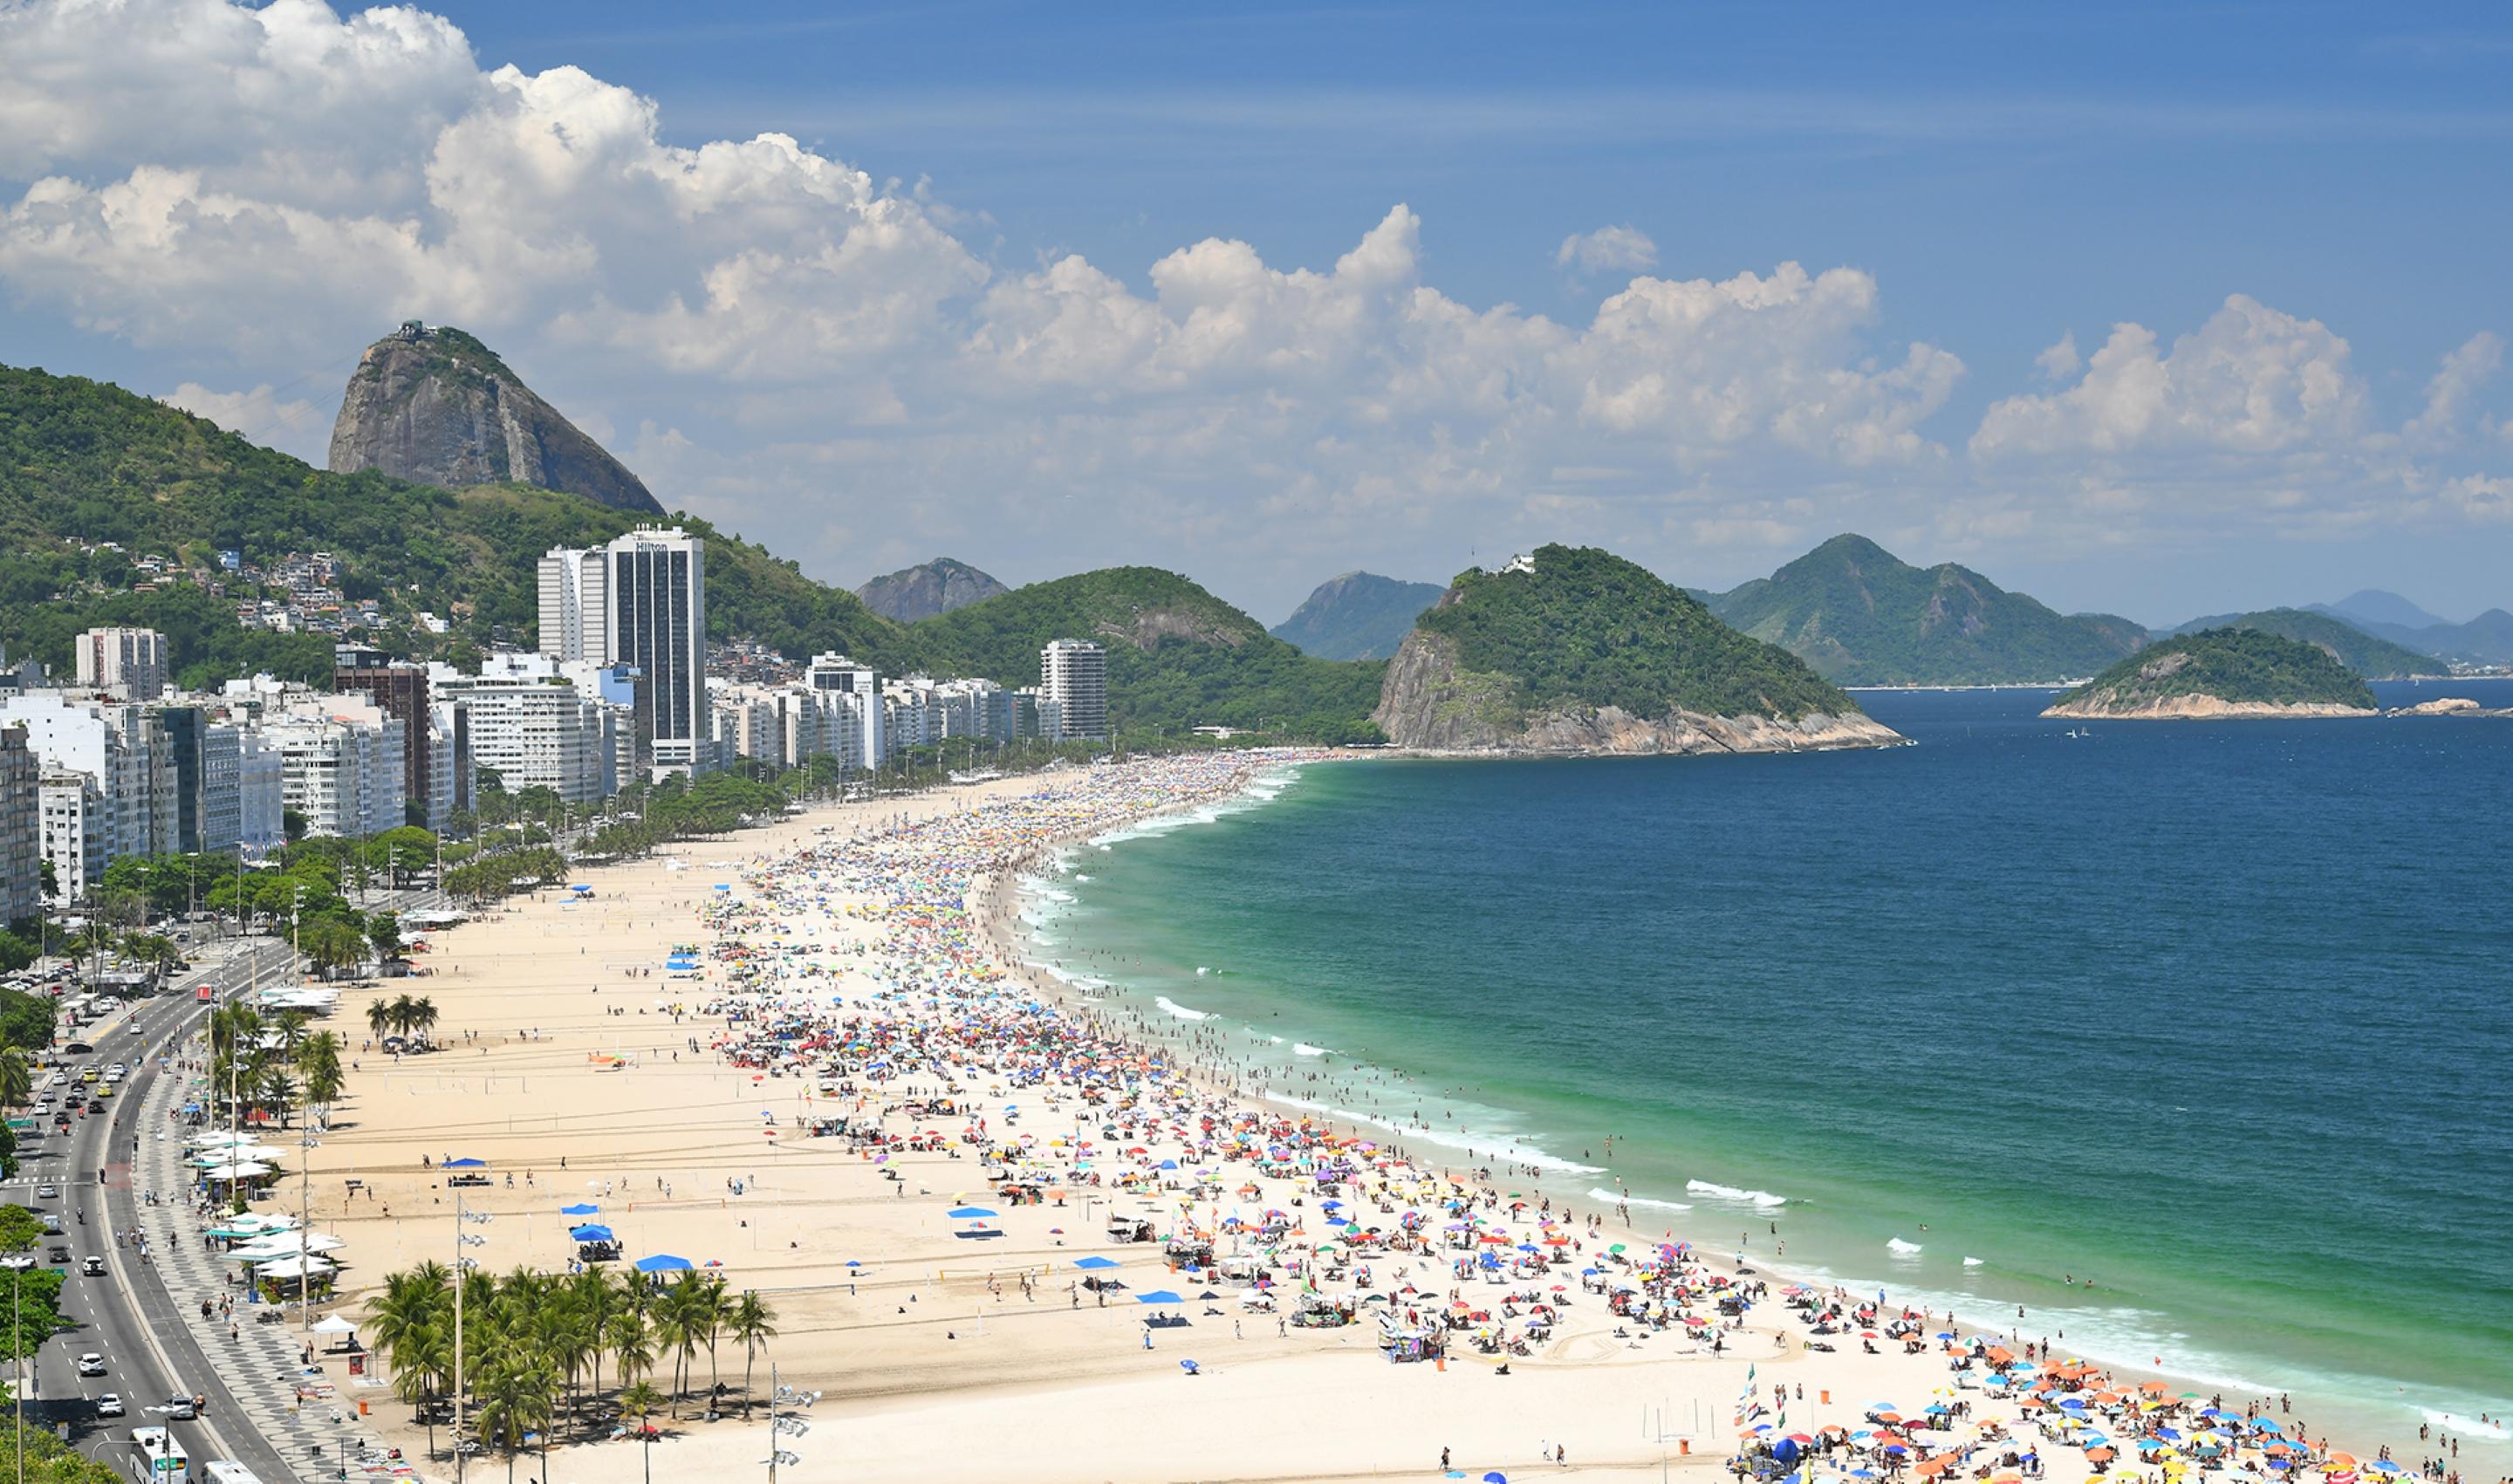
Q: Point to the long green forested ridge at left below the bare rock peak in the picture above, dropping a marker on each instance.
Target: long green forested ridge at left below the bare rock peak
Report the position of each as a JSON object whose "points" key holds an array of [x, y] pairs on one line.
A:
{"points": [[92, 463]]}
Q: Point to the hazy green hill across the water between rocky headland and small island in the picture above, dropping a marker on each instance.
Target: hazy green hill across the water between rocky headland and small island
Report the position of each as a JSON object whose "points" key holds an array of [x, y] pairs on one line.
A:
{"points": [[1863, 616]]}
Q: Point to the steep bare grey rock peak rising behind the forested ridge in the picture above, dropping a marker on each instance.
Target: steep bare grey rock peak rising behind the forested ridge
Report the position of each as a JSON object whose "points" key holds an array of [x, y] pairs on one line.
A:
{"points": [[441, 408]]}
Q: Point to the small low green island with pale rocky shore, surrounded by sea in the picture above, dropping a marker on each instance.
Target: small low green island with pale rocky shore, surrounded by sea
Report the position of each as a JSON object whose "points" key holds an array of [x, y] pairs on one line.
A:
{"points": [[2220, 674]]}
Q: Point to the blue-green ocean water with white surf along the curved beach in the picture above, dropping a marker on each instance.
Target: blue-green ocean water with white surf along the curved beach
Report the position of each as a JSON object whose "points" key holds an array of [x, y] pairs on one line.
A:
{"points": [[2193, 1041]]}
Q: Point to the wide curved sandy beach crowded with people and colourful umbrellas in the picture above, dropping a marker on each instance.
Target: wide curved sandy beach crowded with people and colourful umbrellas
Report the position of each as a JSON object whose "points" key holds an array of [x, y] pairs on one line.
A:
{"points": [[881, 938]]}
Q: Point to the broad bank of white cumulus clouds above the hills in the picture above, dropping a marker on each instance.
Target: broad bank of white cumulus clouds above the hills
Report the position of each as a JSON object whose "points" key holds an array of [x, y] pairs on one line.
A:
{"points": [[838, 365]]}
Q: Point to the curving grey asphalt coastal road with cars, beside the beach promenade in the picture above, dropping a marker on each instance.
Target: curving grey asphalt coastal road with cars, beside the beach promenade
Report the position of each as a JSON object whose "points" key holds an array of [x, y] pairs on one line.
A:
{"points": [[152, 1352]]}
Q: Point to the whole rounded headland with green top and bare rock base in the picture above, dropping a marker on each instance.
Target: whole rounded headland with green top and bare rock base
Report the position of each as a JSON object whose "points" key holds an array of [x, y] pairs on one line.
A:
{"points": [[1577, 652]]}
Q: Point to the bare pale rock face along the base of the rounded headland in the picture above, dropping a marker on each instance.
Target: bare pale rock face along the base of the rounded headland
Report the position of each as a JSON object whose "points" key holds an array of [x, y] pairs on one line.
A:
{"points": [[1431, 704]]}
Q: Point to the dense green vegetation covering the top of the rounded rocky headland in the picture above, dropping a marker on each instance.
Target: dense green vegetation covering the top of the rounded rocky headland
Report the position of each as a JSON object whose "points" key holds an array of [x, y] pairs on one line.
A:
{"points": [[1589, 629]]}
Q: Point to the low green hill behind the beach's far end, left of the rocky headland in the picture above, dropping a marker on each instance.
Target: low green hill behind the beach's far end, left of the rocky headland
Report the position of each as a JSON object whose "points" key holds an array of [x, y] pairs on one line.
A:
{"points": [[1177, 657]]}
